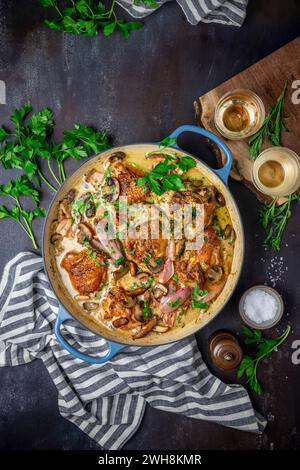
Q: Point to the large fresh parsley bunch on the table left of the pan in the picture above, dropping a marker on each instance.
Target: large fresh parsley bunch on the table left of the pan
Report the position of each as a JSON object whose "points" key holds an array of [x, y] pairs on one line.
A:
{"points": [[28, 143]]}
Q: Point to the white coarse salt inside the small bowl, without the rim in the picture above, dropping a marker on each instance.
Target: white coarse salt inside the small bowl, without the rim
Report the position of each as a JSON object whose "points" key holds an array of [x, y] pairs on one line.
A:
{"points": [[260, 306]]}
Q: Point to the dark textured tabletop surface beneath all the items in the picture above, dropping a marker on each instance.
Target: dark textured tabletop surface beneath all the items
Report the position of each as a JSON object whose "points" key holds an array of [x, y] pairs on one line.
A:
{"points": [[141, 89]]}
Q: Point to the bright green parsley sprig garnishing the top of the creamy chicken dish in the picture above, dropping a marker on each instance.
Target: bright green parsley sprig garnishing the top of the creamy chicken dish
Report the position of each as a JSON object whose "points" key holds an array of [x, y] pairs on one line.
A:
{"points": [[162, 178]]}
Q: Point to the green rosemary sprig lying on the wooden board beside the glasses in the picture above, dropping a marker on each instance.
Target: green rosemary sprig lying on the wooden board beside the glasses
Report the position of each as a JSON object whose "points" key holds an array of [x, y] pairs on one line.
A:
{"points": [[272, 126]]}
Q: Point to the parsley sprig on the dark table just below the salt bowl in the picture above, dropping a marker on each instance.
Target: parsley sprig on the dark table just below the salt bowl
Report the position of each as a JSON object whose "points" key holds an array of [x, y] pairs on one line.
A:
{"points": [[249, 365]]}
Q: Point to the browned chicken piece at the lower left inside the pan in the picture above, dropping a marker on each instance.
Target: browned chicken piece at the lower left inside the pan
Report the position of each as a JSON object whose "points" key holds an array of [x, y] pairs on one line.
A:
{"points": [[86, 274]]}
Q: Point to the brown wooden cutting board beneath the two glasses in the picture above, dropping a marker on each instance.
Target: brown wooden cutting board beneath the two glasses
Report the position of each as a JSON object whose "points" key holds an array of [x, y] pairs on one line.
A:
{"points": [[266, 78]]}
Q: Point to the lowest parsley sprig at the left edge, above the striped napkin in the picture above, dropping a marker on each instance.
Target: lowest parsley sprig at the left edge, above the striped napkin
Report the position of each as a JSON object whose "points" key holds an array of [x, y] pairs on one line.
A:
{"points": [[16, 189]]}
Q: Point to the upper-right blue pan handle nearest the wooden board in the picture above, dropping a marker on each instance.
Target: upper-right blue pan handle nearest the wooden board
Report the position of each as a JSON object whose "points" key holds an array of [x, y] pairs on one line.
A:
{"points": [[223, 172]]}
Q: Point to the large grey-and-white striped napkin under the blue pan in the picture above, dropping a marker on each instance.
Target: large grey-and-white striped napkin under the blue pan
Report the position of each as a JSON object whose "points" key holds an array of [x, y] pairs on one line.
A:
{"points": [[108, 401]]}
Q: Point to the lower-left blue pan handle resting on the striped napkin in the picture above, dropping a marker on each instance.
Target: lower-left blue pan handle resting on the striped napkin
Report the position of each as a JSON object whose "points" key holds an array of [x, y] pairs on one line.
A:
{"points": [[63, 316]]}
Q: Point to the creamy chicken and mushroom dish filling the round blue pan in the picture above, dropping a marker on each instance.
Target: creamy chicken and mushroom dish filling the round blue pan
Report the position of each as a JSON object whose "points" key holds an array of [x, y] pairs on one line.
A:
{"points": [[143, 286]]}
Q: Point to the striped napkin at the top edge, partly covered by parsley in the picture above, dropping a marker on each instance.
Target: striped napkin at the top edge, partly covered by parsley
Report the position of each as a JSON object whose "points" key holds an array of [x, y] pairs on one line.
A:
{"points": [[230, 12]]}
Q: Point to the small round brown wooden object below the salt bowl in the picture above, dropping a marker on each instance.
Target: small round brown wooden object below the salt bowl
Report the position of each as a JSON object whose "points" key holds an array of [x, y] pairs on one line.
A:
{"points": [[225, 350]]}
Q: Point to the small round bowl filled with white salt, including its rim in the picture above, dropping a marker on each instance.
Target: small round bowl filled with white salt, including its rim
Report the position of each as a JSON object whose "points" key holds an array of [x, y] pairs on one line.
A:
{"points": [[261, 307]]}
